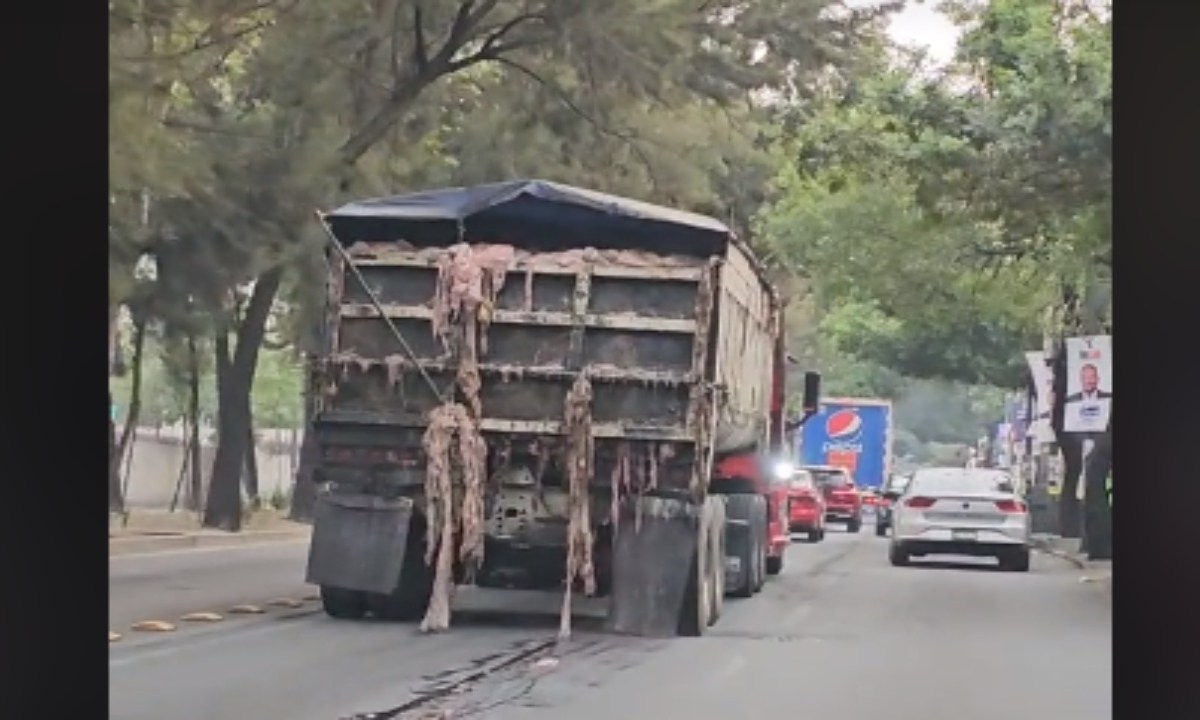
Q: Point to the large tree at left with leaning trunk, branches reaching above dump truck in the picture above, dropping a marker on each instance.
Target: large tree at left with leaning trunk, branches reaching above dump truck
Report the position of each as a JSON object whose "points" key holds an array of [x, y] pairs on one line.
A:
{"points": [[275, 109]]}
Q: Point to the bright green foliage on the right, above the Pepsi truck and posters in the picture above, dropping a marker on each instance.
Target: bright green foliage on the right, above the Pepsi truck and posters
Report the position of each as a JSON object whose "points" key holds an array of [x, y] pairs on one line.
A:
{"points": [[937, 219]]}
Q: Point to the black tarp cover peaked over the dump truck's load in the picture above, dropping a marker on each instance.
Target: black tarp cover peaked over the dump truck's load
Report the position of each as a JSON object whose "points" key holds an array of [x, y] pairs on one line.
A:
{"points": [[535, 214]]}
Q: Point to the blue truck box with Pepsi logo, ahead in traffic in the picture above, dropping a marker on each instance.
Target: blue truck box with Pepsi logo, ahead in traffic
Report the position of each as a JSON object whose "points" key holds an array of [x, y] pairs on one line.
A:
{"points": [[853, 434]]}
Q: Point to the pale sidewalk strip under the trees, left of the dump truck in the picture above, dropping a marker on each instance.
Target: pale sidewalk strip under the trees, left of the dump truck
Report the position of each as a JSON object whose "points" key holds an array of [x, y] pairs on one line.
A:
{"points": [[155, 531]]}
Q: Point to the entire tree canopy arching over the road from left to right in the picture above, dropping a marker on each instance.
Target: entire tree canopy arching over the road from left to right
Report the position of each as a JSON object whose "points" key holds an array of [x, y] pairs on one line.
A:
{"points": [[920, 220]]}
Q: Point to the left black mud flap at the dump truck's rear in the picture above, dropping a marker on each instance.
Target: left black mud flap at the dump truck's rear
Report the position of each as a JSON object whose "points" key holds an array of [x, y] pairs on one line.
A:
{"points": [[358, 542]]}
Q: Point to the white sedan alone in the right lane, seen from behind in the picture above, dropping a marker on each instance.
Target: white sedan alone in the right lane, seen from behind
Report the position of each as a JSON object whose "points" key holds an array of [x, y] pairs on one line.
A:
{"points": [[967, 512]]}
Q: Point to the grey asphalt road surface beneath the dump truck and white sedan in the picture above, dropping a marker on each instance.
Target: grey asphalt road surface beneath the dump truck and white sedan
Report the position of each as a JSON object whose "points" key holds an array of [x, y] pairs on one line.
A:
{"points": [[841, 633]]}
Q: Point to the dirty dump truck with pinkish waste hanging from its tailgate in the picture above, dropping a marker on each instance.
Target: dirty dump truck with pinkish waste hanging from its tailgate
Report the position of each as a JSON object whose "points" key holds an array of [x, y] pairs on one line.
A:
{"points": [[538, 387]]}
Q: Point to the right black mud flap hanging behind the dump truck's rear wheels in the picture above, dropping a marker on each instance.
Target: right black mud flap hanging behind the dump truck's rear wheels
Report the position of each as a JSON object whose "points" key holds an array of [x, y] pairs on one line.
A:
{"points": [[652, 560]]}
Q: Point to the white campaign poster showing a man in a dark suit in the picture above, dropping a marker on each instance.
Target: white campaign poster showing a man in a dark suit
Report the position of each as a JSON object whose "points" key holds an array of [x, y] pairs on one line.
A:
{"points": [[1089, 383]]}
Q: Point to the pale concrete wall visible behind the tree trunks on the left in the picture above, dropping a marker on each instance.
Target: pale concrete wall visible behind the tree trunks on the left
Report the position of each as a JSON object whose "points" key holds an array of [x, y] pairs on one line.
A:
{"points": [[159, 454]]}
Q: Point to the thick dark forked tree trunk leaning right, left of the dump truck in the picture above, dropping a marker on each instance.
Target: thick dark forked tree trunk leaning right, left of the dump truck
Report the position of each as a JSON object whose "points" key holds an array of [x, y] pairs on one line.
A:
{"points": [[236, 380]]}
